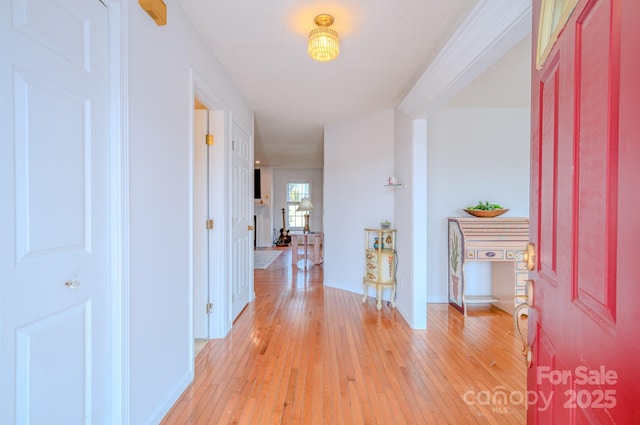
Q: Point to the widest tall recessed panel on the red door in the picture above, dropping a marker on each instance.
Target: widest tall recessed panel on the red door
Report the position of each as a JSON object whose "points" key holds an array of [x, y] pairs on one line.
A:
{"points": [[596, 146]]}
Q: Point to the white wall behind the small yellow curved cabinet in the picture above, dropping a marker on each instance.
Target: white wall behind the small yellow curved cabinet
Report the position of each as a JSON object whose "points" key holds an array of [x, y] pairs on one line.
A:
{"points": [[358, 160]]}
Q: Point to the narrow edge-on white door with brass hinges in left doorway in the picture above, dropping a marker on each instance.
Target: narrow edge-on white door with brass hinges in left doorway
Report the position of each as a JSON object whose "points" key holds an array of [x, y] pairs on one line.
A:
{"points": [[200, 232]]}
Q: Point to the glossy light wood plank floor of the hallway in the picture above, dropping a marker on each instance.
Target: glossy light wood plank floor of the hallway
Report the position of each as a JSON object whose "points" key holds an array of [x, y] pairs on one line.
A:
{"points": [[307, 354]]}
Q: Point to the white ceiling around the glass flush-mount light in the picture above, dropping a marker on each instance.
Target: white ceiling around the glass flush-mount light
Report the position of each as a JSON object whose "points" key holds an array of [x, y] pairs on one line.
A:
{"points": [[385, 46]]}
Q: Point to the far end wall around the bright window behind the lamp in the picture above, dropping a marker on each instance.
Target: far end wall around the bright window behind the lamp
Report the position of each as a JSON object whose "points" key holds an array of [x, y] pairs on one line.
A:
{"points": [[280, 178]]}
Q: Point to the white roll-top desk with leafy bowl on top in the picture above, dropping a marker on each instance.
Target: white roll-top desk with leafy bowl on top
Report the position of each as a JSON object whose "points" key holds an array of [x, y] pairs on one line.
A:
{"points": [[487, 239]]}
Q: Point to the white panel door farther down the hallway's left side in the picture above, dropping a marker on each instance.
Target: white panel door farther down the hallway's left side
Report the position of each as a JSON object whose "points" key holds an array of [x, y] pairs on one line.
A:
{"points": [[242, 219]]}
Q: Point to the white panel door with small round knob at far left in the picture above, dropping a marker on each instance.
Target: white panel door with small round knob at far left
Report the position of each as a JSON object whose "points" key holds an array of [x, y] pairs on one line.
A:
{"points": [[54, 221]]}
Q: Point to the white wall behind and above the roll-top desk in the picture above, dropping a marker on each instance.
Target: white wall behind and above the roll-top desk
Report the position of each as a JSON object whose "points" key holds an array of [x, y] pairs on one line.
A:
{"points": [[474, 154]]}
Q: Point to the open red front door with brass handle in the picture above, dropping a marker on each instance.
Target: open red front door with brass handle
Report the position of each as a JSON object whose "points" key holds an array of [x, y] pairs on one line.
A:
{"points": [[584, 328]]}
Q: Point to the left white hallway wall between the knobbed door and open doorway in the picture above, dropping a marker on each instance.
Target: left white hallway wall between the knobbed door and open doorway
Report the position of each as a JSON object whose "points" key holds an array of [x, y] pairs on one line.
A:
{"points": [[160, 104]]}
